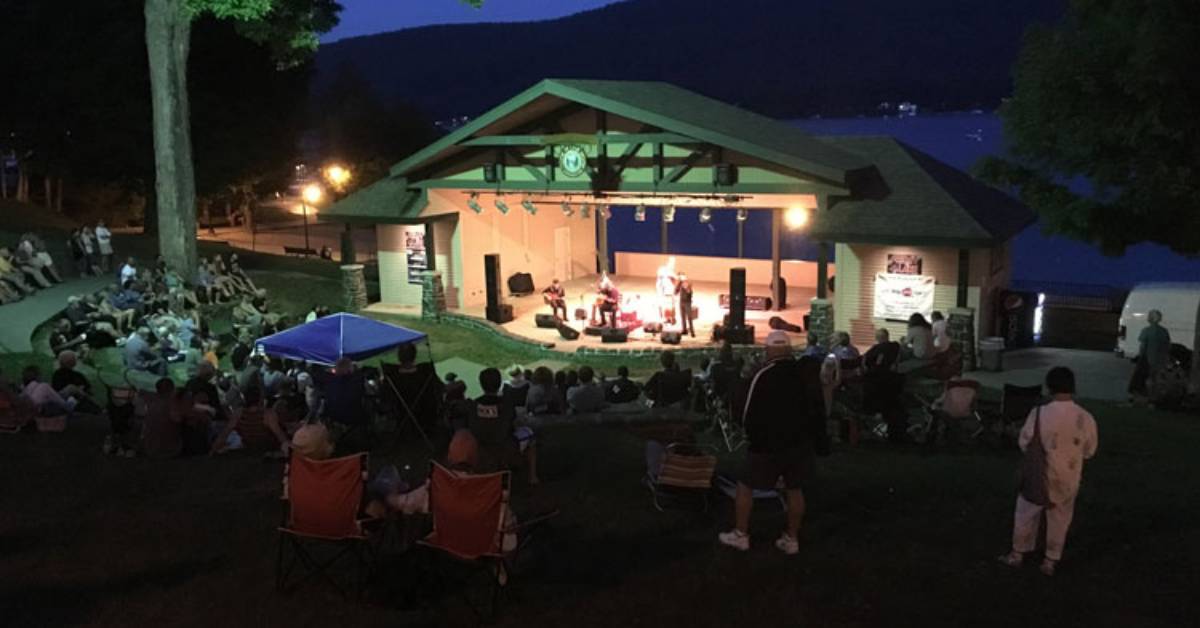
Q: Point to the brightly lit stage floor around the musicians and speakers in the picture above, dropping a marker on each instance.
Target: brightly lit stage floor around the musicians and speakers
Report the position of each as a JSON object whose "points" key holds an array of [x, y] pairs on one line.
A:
{"points": [[581, 294]]}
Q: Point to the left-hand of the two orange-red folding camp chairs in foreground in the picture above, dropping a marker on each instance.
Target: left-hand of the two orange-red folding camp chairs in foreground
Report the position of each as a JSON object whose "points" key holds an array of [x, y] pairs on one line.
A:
{"points": [[323, 505]]}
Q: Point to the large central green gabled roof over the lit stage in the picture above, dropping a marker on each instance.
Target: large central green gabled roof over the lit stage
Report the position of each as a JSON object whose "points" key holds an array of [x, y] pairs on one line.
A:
{"points": [[673, 110]]}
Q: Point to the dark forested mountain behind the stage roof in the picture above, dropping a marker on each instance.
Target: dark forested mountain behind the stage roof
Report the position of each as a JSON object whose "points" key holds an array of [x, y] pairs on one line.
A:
{"points": [[784, 58]]}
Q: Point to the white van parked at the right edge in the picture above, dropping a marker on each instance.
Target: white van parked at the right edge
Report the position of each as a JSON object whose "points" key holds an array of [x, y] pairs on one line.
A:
{"points": [[1178, 302]]}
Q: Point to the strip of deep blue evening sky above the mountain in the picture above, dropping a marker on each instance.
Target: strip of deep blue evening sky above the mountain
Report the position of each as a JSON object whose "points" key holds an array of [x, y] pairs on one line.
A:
{"points": [[367, 17]]}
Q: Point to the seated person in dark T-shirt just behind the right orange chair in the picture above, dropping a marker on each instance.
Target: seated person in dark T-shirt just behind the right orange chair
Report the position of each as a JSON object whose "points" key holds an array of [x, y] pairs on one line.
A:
{"points": [[494, 426]]}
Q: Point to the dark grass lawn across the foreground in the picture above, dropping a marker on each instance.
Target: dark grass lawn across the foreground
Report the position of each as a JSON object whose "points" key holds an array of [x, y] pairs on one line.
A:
{"points": [[893, 539]]}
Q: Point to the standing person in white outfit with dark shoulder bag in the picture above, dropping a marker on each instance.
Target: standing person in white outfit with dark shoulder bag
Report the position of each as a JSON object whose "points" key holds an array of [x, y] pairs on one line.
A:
{"points": [[1069, 438]]}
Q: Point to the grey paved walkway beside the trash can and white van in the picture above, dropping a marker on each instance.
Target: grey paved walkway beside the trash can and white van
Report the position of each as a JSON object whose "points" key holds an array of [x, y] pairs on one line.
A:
{"points": [[1099, 374]]}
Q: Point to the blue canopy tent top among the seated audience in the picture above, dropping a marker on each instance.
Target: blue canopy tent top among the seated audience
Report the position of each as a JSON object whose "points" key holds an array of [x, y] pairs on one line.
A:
{"points": [[343, 336]]}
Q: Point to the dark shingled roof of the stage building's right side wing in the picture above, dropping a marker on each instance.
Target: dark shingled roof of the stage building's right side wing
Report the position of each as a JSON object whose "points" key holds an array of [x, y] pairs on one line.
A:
{"points": [[925, 201]]}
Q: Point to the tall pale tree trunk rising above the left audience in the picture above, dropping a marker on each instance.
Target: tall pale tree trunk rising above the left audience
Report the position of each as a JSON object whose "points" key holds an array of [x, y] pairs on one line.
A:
{"points": [[169, 34]]}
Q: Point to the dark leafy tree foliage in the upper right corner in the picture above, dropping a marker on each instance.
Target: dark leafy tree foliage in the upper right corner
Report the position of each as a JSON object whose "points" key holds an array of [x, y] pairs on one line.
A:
{"points": [[1109, 97]]}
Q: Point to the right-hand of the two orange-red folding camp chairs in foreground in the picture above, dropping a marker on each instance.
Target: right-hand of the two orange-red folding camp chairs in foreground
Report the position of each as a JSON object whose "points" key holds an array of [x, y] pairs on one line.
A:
{"points": [[472, 524]]}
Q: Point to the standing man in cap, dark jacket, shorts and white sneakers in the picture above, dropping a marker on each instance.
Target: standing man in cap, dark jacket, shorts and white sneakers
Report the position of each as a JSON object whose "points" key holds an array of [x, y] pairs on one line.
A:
{"points": [[784, 415]]}
